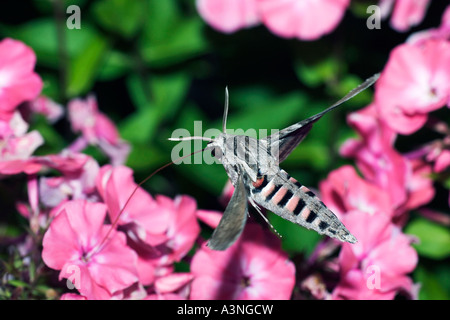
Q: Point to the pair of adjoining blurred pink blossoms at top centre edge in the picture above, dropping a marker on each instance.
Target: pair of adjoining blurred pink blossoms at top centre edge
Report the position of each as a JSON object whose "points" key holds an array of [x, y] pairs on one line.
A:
{"points": [[302, 19]]}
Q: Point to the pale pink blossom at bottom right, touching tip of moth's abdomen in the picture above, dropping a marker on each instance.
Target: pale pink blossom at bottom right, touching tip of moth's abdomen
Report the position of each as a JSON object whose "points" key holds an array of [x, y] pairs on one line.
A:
{"points": [[377, 266]]}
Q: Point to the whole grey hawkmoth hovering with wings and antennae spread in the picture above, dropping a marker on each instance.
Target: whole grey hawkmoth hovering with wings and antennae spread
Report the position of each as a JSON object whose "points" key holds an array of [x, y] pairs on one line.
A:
{"points": [[253, 168]]}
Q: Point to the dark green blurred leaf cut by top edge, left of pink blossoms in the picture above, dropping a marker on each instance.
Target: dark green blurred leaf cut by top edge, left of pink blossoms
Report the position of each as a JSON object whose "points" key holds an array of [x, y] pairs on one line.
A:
{"points": [[120, 16]]}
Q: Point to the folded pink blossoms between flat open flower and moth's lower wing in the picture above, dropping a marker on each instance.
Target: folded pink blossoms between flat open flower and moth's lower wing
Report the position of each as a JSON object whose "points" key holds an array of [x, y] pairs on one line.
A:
{"points": [[162, 230]]}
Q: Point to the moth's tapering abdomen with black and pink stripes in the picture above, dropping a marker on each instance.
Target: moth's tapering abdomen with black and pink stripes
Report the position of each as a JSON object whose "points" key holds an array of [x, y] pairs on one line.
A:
{"points": [[292, 201]]}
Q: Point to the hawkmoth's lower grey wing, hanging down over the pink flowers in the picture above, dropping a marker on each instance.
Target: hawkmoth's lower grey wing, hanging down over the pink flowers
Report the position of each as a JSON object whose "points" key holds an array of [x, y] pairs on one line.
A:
{"points": [[233, 220]]}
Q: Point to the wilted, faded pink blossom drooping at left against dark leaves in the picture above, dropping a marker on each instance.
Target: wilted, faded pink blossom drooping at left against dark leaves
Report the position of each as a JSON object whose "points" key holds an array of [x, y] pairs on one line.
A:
{"points": [[97, 129]]}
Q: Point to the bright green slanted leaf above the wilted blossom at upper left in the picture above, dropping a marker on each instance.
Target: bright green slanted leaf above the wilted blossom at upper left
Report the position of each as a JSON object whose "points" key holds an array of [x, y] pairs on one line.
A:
{"points": [[84, 68]]}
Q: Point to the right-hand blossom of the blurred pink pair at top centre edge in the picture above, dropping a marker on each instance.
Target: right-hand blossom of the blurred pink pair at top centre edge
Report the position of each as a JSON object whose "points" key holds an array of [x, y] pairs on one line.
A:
{"points": [[302, 19]]}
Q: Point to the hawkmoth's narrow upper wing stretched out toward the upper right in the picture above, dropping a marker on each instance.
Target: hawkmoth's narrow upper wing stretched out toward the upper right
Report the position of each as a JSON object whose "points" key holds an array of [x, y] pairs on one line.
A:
{"points": [[285, 141]]}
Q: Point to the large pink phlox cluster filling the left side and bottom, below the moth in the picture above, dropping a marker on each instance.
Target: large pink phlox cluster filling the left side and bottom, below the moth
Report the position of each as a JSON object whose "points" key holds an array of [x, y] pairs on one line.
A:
{"points": [[74, 209]]}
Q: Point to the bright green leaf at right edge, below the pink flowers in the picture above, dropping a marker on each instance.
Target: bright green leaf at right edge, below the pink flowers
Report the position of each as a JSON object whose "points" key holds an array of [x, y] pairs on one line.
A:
{"points": [[434, 239]]}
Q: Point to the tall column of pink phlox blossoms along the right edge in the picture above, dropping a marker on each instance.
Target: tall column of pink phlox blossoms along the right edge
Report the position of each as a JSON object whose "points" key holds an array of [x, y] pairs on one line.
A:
{"points": [[376, 205]]}
